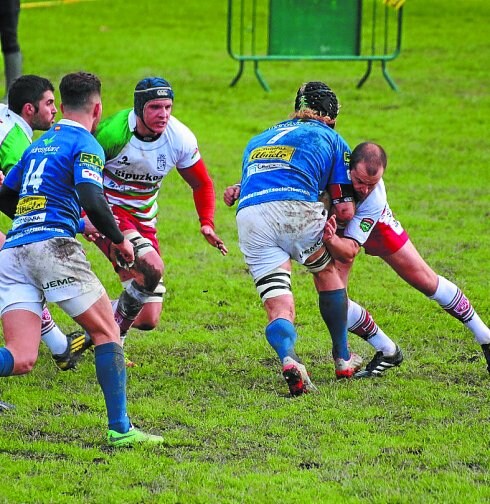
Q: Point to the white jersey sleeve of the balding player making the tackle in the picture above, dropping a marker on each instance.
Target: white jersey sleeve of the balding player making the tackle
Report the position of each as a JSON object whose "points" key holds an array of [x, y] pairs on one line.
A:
{"points": [[367, 214]]}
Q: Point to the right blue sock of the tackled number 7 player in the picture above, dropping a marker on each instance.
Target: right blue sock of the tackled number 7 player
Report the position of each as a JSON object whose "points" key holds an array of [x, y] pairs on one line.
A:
{"points": [[333, 307]]}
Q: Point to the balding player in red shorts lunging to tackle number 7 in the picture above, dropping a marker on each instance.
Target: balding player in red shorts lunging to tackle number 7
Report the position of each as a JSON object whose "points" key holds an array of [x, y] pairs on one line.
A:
{"points": [[375, 228]]}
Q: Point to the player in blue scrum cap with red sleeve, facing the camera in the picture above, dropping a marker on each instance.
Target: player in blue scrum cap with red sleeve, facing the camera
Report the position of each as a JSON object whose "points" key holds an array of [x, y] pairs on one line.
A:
{"points": [[142, 145]]}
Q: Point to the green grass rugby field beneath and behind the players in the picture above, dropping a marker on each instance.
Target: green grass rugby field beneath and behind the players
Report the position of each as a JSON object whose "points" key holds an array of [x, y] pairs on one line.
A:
{"points": [[207, 379]]}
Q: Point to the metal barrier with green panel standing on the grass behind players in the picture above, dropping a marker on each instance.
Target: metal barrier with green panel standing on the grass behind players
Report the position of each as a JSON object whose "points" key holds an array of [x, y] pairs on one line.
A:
{"points": [[350, 30]]}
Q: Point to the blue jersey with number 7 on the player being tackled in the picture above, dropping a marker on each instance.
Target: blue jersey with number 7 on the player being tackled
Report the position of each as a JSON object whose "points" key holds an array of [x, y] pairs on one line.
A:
{"points": [[293, 160]]}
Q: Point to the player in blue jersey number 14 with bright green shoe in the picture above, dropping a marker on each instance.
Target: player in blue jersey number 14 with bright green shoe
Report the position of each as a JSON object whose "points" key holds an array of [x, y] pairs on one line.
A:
{"points": [[41, 260]]}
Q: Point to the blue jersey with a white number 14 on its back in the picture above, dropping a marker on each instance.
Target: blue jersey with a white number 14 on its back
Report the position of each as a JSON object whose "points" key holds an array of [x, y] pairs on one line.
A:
{"points": [[45, 179]]}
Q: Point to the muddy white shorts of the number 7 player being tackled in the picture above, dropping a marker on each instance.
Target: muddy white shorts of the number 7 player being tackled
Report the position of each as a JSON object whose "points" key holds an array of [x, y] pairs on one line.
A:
{"points": [[271, 233]]}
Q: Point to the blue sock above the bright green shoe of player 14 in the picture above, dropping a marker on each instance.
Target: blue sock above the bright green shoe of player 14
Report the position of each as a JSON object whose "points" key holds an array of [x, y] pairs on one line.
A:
{"points": [[111, 373]]}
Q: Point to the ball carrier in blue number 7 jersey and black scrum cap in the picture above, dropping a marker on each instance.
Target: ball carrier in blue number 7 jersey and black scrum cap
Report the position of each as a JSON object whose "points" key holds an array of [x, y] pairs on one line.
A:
{"points": [[280, 219]]}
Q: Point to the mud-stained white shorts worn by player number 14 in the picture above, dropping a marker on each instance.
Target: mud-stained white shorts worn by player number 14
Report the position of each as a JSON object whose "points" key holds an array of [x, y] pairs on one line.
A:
{"points": [[53, 270]]}
